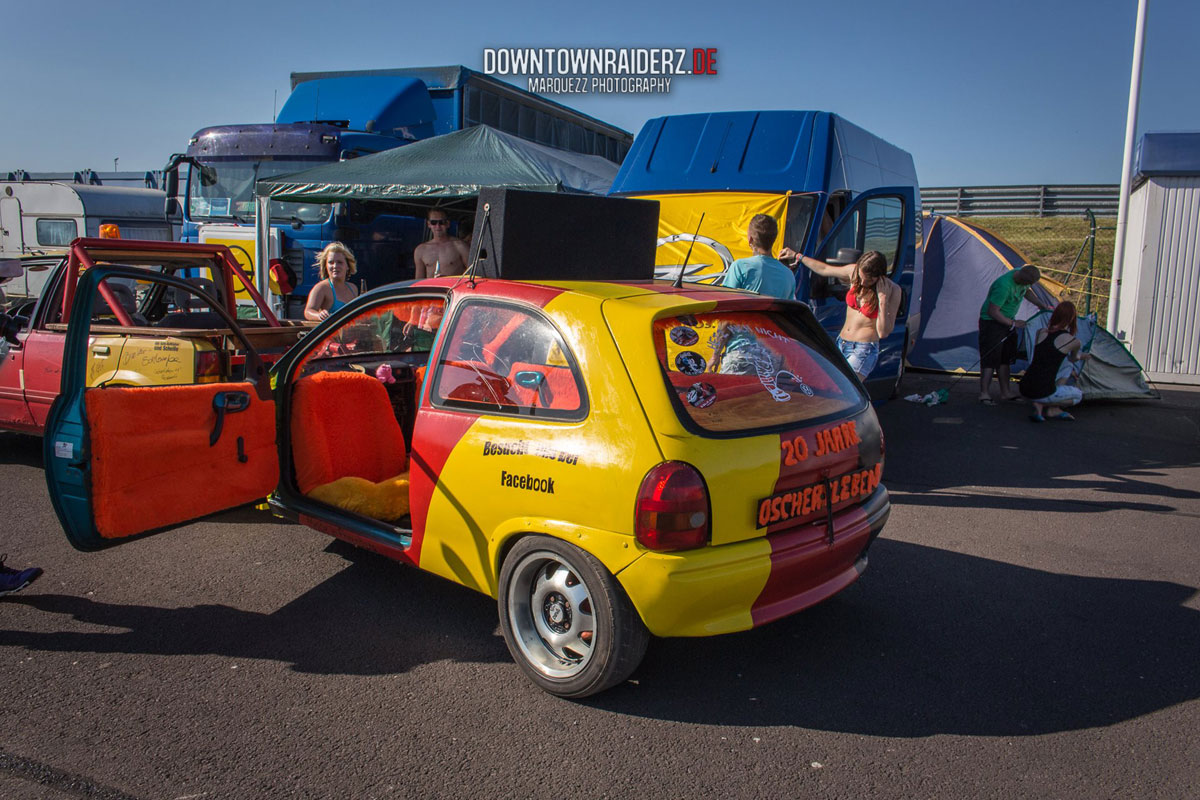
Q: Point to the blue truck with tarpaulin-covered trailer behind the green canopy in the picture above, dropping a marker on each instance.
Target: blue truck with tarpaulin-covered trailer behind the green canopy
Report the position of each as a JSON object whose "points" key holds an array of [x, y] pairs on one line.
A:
{"points": [[335, 116]]}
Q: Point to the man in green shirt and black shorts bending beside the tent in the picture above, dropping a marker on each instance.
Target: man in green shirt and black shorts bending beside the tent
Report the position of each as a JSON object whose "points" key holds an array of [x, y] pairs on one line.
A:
{"points": [[999, 327]]}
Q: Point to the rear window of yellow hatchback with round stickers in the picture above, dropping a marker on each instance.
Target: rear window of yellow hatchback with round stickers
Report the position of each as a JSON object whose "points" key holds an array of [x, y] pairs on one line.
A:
{"points": [[745, 371]]}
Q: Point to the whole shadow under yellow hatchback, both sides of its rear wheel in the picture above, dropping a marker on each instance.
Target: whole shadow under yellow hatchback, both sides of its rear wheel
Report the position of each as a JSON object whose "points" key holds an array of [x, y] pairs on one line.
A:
{"points": [[937, 643]]}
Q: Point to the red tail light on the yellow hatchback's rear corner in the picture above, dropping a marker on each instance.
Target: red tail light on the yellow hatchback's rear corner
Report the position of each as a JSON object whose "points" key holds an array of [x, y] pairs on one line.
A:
{"points": [[671, 513]]}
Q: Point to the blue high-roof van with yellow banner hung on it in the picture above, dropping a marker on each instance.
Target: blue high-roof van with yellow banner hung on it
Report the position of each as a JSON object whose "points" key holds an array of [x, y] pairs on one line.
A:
{"points": [[831, 185]]}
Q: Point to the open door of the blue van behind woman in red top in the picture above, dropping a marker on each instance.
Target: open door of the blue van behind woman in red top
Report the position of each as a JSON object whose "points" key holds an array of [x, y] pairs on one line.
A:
{"points": [[886, 220]]}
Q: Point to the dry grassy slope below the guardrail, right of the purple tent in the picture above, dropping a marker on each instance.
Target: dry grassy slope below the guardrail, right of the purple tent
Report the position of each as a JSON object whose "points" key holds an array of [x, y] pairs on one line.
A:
{"points": [[1076, 251]]}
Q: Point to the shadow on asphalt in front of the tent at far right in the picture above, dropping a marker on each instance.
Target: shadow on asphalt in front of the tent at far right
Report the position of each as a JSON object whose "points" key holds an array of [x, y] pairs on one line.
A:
{"points": [[1114, 449]]}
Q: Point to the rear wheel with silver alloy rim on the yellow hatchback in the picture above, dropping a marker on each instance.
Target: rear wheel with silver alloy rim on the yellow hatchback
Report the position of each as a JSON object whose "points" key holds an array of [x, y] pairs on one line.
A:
{"points": [[567, 621]]}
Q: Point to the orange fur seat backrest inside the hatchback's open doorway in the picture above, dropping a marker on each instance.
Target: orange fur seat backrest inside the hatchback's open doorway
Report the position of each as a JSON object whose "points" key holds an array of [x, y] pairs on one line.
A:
{"points": [[343, 426]]}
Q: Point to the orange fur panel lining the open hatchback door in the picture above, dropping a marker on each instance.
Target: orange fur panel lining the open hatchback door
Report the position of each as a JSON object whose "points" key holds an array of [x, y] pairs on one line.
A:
{"points": [[152, 464]]}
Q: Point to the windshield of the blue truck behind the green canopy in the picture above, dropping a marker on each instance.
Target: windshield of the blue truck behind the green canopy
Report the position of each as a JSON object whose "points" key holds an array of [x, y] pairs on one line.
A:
{"points": [[231, 194]]}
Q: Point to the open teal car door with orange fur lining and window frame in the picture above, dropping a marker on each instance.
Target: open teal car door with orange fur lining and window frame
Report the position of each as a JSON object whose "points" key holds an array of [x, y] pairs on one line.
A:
{"points": [[123, 461]]}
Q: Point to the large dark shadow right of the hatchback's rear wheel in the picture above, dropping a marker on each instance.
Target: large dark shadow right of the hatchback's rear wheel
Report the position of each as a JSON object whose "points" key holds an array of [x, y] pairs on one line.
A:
{"points": [[938, 643]]}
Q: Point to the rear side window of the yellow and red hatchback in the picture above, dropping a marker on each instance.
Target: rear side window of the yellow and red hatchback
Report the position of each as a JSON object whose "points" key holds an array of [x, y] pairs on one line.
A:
{"points": [[509, 360]]}
